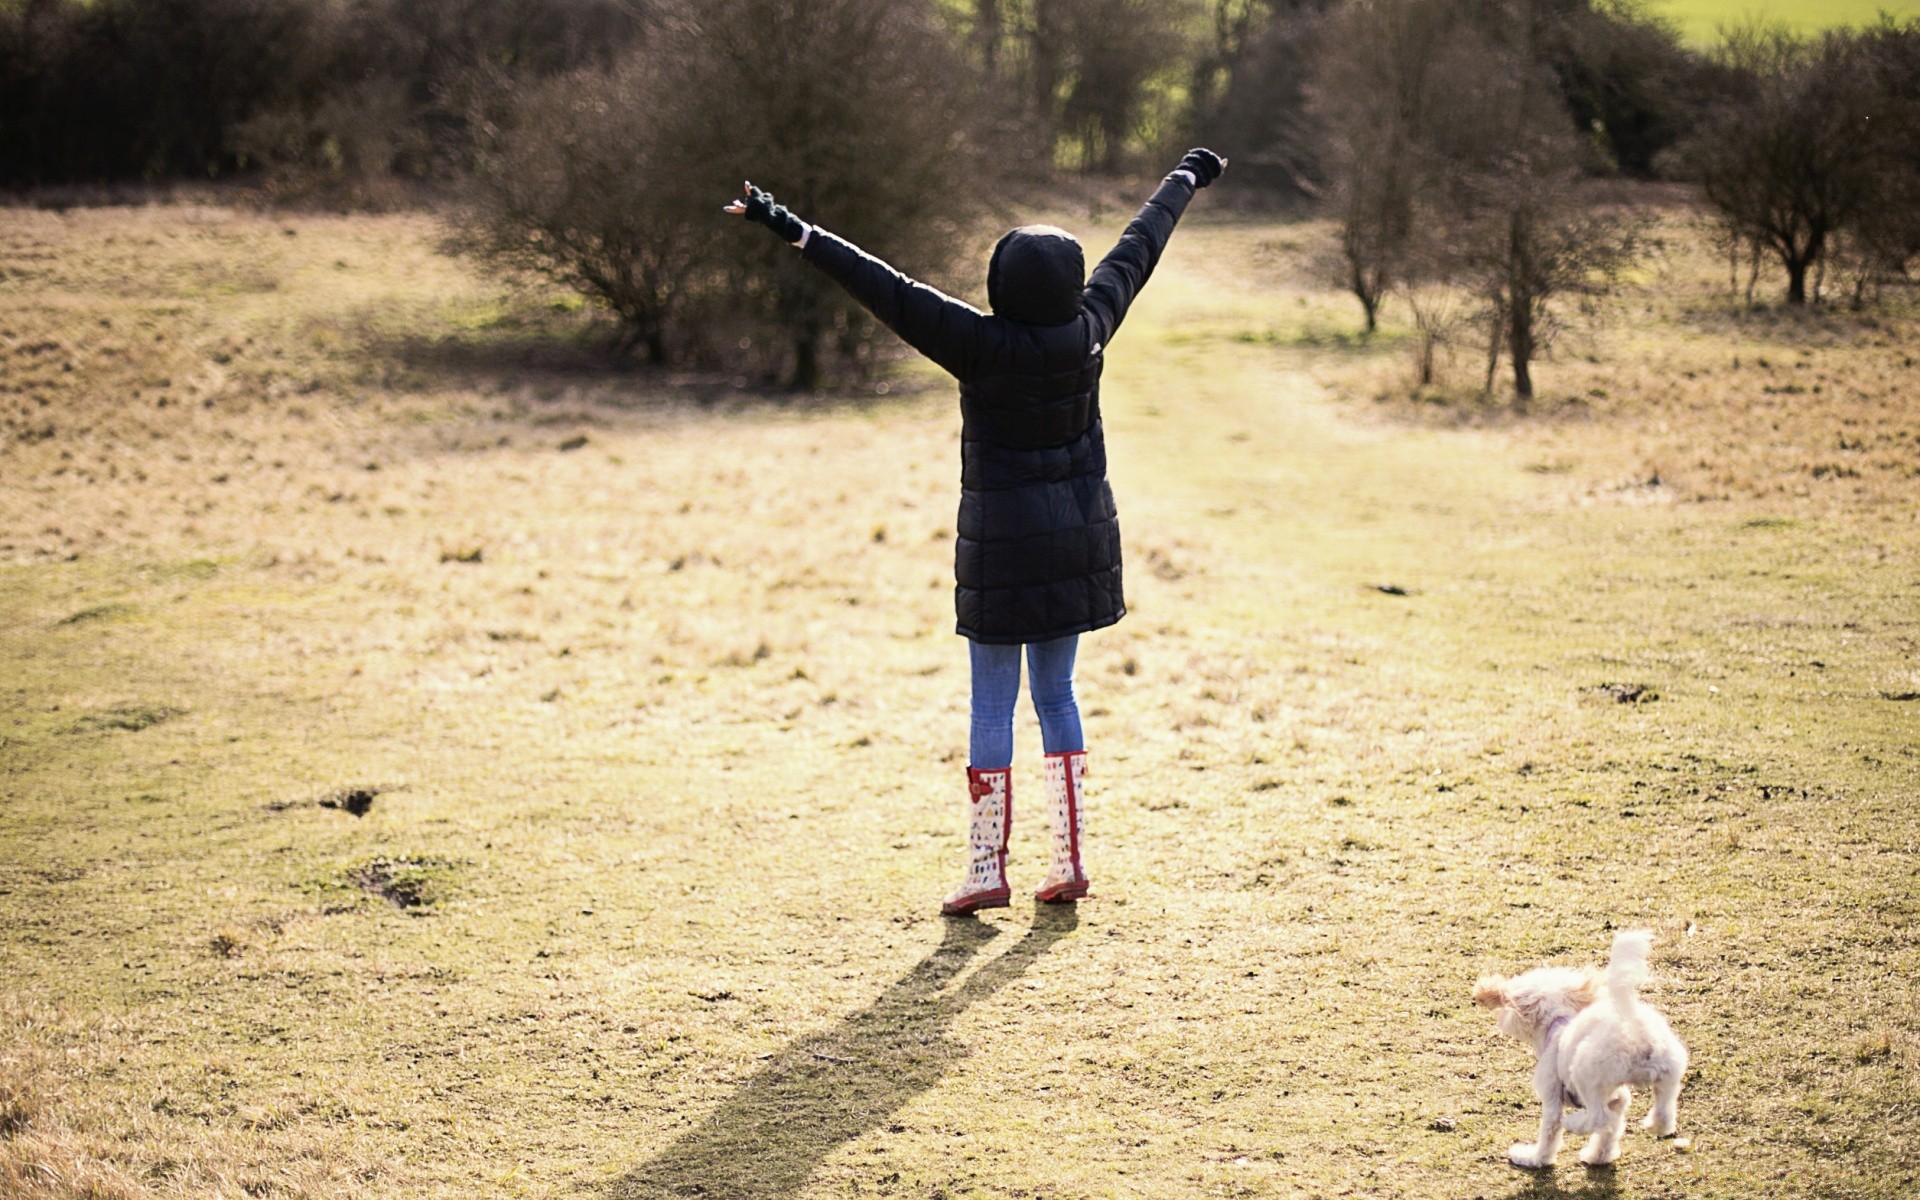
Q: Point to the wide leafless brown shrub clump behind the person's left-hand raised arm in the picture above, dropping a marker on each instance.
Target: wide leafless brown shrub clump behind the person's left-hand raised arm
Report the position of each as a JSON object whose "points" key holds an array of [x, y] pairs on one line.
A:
{"points": [[853, 112]]}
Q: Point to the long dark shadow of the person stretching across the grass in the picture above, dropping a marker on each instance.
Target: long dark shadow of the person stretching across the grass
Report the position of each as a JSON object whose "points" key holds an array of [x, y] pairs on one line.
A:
{"points": [[830, 1088]]}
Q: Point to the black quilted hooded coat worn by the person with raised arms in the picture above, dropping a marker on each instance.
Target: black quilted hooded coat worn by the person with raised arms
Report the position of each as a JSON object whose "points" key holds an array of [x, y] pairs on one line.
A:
{"points": [[1038, 552]]}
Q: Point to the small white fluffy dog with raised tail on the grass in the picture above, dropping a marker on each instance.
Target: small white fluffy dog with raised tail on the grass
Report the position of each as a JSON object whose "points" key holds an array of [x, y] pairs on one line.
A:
{"points": [[1595, 1042]]}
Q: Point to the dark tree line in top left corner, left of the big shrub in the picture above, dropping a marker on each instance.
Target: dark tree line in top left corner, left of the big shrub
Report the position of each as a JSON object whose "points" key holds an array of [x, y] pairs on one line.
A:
{"points": [[107, 91]]}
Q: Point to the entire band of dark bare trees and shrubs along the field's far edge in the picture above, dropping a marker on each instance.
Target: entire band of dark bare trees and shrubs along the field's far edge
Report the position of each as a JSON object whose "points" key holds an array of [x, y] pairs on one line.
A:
{"points": [[1451, 139]]}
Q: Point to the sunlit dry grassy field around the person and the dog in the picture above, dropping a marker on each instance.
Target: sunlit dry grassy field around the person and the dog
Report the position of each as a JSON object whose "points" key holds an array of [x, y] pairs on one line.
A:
{"points": [[435, 763]]}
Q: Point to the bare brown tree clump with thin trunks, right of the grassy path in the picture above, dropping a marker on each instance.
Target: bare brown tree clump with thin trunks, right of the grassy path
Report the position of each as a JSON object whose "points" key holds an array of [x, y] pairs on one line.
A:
{"points": [[1458, 164]]}
